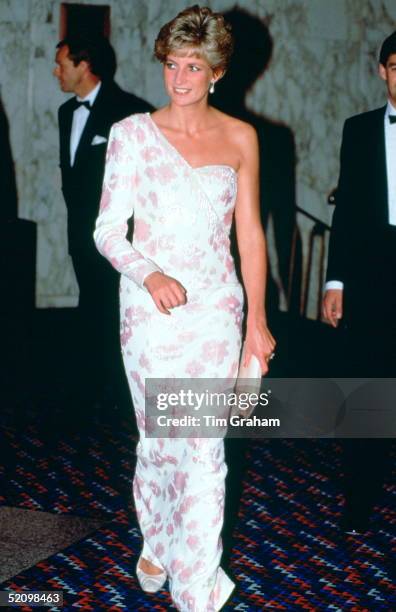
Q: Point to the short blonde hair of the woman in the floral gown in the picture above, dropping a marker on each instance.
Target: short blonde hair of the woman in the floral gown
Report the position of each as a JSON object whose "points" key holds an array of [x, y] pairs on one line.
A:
{"points": [[201, 32]]}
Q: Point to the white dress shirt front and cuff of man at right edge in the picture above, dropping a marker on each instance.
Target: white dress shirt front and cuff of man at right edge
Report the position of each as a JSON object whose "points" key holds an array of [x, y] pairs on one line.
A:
{"points": [[390, 155]]}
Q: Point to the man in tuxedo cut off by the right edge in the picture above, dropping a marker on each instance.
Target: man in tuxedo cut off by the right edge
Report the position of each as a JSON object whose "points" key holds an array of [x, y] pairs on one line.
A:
{"points": [[361, 276]]}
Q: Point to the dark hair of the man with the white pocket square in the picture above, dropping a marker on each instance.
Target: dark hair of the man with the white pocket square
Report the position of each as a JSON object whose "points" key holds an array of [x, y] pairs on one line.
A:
{"points": [[97, 52]]}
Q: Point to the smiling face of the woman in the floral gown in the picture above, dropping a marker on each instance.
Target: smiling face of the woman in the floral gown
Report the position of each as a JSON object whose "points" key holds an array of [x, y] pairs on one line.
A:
{"points": [[187, 78]]}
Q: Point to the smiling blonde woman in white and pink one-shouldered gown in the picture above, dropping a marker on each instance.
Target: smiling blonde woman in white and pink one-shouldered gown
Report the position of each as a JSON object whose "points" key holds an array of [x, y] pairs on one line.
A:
{"points": [[183, 172]]}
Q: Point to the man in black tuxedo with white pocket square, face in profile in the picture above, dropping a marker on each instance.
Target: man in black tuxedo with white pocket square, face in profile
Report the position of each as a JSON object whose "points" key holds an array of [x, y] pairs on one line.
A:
{"points": [[86, 67]]}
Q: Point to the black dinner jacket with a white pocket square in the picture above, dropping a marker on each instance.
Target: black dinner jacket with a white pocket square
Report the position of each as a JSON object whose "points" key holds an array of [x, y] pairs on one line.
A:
{"points": [[82, 182]]}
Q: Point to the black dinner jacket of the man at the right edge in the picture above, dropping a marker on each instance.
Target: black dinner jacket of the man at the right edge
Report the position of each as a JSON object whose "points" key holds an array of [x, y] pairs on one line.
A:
{"points": [[356, 249]]}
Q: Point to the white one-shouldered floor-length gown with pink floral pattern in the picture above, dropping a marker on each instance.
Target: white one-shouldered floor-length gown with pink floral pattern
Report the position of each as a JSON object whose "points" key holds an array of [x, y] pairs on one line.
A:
{"points": [[182, 219]]}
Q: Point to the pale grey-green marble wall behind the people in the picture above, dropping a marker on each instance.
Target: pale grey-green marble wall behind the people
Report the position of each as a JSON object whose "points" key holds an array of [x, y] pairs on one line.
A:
{"points": [[323, 69]]}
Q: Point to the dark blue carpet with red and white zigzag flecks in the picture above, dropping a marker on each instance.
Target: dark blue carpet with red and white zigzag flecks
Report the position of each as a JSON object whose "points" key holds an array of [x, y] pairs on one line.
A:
{"points": [[287, 554]]}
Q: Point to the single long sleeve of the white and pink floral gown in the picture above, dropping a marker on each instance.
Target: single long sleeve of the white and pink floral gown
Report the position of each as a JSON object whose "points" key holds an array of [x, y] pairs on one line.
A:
{"points": [[117, 206]]}
